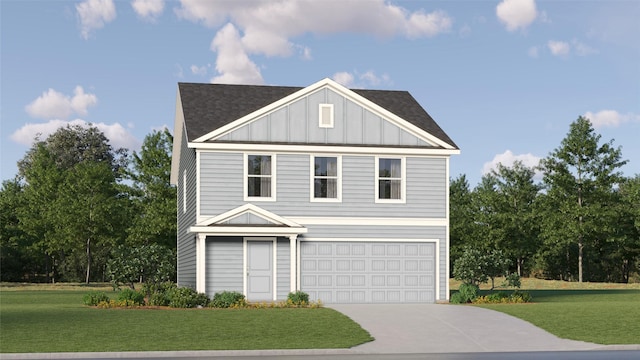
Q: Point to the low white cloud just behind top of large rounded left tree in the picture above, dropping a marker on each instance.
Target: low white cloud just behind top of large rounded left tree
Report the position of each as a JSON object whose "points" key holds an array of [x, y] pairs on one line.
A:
{"points": [[118, 135]]}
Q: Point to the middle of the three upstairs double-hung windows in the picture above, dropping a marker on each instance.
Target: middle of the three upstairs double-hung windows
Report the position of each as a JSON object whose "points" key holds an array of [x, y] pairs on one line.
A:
{"points": [[325, 180]]}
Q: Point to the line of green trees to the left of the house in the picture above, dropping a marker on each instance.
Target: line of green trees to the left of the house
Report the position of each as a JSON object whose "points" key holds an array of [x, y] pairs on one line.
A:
{"points": [[76, 201]]}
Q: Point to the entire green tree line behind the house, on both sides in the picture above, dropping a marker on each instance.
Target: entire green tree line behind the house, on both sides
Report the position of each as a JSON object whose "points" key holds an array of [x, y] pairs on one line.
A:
{"points": [[77, 205]]}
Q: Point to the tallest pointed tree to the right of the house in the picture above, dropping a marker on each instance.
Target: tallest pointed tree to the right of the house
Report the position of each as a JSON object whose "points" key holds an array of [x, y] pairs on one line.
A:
{"points": [[579, 177]]}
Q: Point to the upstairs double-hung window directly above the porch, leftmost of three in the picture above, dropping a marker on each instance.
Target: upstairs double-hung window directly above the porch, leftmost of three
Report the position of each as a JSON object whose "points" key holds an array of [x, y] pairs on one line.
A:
{"points": [[260, 182]]}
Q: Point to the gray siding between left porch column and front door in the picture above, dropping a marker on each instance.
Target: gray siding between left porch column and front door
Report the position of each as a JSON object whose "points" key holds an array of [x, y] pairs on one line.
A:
{"points": [[224, 265]]}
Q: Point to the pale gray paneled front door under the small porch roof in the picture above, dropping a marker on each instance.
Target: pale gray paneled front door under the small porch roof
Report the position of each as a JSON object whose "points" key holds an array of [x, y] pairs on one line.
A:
{"points": [[259, 270]]}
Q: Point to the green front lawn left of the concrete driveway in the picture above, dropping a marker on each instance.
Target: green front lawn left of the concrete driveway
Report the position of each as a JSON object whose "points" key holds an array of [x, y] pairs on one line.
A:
{"points": [[56, 321]]}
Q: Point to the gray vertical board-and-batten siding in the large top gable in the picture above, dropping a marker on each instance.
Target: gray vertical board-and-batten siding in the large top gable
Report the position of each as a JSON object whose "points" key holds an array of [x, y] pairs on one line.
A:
{"points": [[298, 122]]}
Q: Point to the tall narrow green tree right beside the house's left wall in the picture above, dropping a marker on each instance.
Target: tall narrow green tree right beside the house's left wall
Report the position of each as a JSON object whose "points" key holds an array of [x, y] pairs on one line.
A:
{"points": [[155, 219]]}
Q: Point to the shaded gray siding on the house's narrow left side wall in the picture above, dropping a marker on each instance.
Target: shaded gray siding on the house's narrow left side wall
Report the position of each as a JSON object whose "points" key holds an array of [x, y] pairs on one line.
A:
{"points": [[186, 245]]}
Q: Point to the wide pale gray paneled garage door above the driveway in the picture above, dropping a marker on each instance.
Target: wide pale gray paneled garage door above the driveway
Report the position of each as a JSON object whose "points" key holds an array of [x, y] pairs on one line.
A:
{"points": [[368, 272]]}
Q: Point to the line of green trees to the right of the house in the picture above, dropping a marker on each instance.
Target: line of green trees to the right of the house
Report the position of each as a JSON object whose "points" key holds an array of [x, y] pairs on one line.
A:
{"points": [[581, 222]]}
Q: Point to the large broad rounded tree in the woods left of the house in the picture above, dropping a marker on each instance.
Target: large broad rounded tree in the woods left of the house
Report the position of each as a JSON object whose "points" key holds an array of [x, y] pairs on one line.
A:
{"points": [[71, 198]]}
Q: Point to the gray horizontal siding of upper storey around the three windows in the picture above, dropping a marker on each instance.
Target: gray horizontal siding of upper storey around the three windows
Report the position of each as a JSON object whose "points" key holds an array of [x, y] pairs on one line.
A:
{"points": [[222, 178]]}
